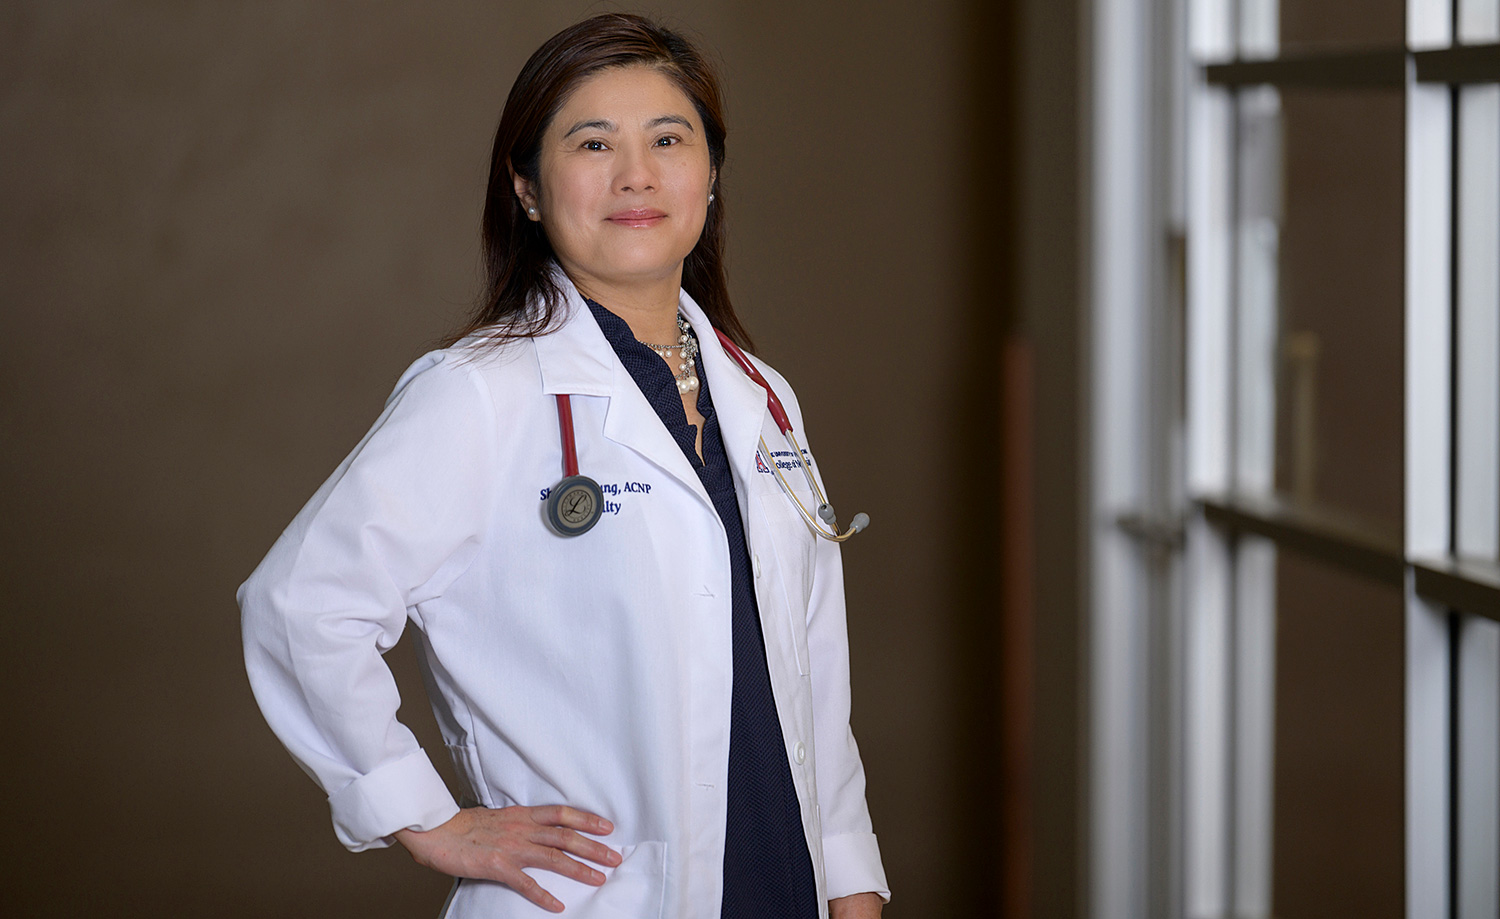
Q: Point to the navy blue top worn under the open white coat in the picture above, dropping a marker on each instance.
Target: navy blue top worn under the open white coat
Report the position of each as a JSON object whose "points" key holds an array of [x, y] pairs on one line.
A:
{"points": [[769, 872]]}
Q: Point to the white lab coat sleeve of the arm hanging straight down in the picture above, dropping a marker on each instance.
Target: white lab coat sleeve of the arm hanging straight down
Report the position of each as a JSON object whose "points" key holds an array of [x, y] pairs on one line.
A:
{"points": [[851, 855]]}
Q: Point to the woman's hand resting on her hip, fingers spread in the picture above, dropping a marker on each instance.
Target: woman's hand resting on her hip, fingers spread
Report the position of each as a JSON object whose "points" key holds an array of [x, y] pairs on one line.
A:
{"points": [[496, 845]]}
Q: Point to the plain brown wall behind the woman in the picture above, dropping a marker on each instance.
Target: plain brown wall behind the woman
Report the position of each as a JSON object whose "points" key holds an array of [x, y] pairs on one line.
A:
{"points": [[226, 230]]}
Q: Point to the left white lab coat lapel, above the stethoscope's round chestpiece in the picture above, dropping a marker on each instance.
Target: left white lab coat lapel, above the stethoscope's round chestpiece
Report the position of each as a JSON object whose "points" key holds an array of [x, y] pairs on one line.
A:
{"points": [[578, 361]]}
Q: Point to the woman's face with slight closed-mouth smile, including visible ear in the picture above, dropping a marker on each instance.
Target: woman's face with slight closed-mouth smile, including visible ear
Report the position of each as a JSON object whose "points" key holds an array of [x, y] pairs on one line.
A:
{"points": [[625, 181]]}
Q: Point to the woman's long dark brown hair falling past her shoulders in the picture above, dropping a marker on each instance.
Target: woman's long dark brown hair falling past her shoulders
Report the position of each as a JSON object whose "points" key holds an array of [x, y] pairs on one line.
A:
{"points": [[521, 298]]}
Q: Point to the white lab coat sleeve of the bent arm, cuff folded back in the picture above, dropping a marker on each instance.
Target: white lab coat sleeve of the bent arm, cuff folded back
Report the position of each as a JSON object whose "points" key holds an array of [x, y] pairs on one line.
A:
{"points": [[398, 521]]}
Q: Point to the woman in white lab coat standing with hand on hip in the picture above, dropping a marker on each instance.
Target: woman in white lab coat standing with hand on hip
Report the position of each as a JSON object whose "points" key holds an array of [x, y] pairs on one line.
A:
{"points": [[650, 716]]}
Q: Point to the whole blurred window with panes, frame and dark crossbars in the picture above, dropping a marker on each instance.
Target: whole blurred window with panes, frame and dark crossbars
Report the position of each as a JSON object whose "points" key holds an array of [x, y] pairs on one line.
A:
{"points": [[1297, 480]]}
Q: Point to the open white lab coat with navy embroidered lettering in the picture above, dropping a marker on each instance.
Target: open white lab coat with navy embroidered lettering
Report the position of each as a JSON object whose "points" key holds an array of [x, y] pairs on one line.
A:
{"points": [[590, 671]]}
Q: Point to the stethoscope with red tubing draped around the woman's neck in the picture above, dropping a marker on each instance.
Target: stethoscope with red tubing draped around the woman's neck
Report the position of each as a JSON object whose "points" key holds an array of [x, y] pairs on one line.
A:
{"points": [[577, 503]]}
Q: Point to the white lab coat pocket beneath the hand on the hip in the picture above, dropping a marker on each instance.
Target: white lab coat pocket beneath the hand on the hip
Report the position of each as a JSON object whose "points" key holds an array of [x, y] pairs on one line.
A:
{"points": [[634, 890]]}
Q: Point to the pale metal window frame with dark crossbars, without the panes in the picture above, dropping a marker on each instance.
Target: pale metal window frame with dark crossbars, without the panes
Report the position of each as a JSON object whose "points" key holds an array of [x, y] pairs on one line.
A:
{"points": [[1171, 558]]}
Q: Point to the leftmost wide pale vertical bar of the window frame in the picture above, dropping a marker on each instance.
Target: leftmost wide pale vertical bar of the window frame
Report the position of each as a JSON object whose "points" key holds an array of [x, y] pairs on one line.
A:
{"points": [[1121, 178]]}
